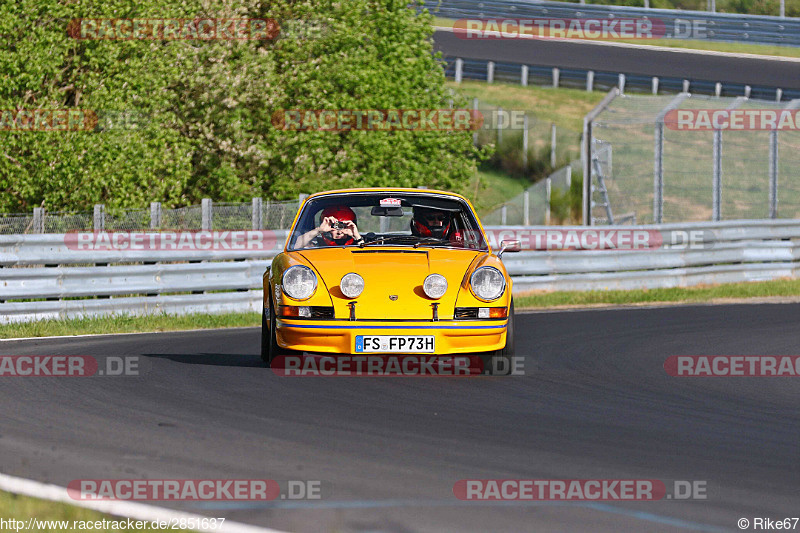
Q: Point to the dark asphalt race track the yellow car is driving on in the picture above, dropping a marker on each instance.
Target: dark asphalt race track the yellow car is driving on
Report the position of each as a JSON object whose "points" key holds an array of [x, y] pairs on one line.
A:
{"points": [[595, 403]]}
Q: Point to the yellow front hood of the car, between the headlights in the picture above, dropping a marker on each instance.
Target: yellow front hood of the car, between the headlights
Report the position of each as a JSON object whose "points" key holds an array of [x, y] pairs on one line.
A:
{"points": [[393, 279]]}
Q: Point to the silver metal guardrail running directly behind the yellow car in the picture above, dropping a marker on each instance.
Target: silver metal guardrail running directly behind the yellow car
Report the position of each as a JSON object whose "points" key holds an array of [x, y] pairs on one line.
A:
{"points": [[64, 282]]}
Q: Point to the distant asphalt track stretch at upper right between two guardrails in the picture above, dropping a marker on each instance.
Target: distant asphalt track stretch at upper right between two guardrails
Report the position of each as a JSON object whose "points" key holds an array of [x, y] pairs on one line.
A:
{"points": [[630, 60]]}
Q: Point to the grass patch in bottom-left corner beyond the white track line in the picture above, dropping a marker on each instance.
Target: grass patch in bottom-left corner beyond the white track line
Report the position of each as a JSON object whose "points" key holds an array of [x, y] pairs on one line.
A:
{"points": [[23, 508]]}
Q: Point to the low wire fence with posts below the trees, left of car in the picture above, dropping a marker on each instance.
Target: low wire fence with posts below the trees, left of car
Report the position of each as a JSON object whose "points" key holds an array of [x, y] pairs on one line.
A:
{"points": [[256, 214]]}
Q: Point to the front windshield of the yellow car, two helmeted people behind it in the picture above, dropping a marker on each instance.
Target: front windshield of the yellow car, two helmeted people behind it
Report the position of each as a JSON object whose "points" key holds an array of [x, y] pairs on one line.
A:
{"points": [[387, 219]]}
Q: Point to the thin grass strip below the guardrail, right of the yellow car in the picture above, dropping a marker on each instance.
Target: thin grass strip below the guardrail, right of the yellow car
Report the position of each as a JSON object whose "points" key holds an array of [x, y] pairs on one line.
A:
{"points": [[701, 293]]}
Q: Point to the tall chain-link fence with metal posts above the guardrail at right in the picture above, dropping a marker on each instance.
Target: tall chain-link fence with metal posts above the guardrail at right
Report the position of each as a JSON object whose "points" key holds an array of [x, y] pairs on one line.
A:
{"points": [[694, 158]]}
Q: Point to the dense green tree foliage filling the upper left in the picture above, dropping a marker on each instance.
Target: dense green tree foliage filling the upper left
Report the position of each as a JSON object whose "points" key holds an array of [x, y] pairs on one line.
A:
{"points": [[208, 104]]}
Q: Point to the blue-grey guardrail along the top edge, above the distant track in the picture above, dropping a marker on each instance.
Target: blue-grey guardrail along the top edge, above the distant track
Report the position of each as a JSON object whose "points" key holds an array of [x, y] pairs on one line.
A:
{"points": [[717, 26]]}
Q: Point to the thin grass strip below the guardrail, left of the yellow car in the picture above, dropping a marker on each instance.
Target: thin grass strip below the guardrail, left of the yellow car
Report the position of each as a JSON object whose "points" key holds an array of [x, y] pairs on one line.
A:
{"points": [[127, 324]]}
